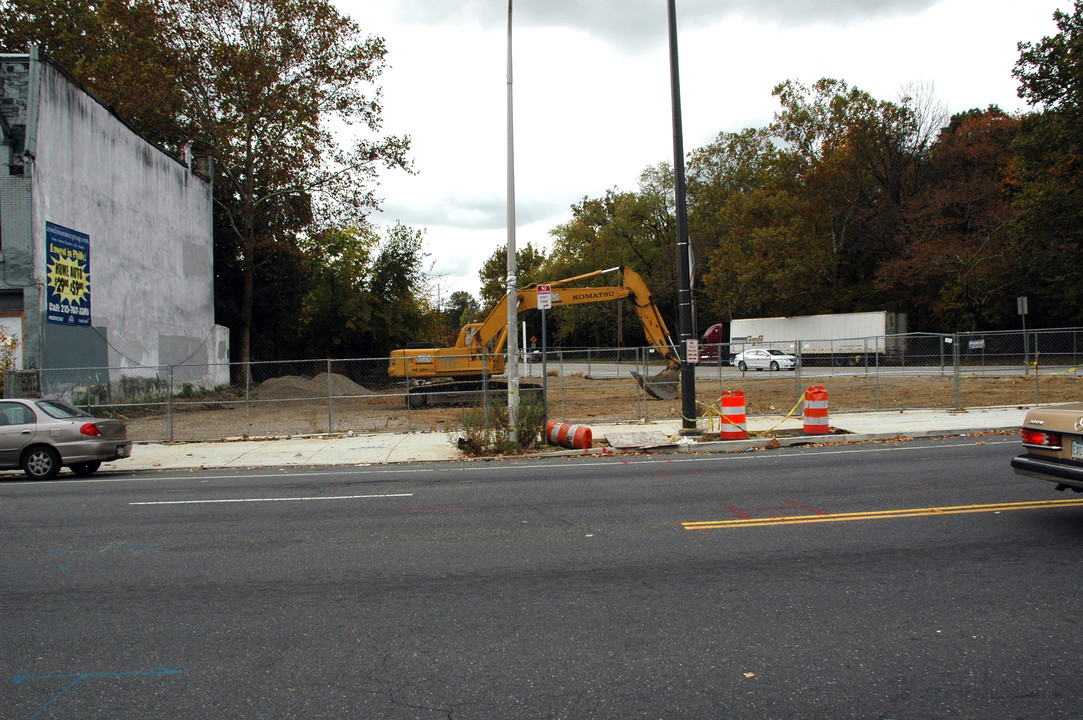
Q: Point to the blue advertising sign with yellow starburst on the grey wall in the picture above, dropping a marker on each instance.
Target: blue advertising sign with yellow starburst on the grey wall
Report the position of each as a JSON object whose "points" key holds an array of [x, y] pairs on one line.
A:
{"points": [[68, 264]]}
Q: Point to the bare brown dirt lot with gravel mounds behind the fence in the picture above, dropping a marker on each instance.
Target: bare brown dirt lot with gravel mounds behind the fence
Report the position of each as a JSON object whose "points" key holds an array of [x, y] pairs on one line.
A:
{"points": [[292, 407]]}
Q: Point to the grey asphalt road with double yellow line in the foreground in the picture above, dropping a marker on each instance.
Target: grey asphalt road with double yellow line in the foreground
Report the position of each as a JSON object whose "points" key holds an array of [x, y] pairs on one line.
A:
{"points": [[923, 581]]}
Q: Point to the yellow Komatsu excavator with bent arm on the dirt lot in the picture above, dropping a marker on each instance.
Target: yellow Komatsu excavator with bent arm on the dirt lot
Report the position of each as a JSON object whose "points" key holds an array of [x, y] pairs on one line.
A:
{"points": [[445, 375]]}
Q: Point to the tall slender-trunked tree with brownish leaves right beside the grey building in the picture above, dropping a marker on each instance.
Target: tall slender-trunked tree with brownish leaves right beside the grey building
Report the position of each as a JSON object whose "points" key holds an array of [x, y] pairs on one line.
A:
{"points": [[265, 82]]}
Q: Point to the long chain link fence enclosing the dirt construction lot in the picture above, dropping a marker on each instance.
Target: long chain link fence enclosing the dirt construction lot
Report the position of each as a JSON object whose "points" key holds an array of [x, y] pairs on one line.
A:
{"points": [[182, 403]]}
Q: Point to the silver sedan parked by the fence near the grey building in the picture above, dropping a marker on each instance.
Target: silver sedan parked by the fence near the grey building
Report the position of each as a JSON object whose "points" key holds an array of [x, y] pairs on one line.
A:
{"points": [[44, 436]]}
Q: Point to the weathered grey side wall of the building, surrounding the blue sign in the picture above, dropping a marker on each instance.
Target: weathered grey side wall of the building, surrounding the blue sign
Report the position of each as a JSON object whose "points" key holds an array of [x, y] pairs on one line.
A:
{"points": [[149, 219]]}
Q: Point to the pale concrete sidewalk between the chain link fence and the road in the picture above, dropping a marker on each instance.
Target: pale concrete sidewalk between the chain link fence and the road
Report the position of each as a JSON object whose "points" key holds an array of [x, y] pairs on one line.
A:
{"points": [[381, 449]]}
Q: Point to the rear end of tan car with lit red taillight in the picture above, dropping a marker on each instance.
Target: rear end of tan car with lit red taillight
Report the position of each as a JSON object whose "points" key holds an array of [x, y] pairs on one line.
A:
{"points": [[1053, 438]]}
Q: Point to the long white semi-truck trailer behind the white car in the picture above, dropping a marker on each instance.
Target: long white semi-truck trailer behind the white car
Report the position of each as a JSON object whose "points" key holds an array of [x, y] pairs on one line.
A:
{"points": [[839, 339]]}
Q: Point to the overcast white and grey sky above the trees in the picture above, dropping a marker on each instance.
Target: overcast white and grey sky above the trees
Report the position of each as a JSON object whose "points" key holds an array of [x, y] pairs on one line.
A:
{"points": [[592, 93]]}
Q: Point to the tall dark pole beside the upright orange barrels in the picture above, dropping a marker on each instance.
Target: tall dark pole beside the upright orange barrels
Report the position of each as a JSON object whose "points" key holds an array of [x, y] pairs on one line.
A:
{"points": [[684, 258]]}
